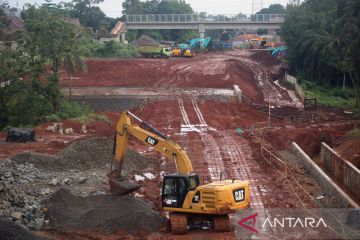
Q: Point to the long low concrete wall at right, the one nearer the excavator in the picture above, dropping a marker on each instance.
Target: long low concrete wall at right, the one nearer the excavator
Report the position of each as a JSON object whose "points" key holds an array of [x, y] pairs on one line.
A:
{"points": [[329, 186]]}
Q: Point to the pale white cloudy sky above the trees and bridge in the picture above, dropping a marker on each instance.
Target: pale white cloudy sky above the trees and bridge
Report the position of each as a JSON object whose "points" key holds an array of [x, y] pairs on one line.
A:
{"points": [[112, 8]]}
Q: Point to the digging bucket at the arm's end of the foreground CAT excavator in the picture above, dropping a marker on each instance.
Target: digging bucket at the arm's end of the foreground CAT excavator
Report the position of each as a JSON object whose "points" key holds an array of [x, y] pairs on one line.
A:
{"points": [[121, 186]]}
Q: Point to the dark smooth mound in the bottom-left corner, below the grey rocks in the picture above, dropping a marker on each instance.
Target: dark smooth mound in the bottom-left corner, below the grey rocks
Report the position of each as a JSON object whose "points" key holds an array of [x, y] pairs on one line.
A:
{"points": [[11, 231]]}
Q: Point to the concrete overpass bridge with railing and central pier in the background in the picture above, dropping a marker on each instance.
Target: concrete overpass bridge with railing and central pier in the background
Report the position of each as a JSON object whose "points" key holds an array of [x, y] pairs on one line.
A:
{"points": [[202, 22]]}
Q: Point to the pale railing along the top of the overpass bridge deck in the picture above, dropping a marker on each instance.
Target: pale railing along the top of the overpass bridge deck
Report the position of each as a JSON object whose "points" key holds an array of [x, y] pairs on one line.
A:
{"points": [[203, 18]]}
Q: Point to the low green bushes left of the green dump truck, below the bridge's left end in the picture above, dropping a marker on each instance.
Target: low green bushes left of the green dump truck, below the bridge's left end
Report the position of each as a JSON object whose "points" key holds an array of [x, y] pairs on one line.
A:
{"points": [[114, 49]]}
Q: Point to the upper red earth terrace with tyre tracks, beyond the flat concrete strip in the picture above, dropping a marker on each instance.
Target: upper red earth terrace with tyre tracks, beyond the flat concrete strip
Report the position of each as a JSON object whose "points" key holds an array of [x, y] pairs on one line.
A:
{"points": [[219, 70]]}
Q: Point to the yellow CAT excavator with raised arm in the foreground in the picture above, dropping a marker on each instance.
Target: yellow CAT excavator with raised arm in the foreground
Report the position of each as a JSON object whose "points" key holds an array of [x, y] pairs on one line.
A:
{"points": [[186, 200]]}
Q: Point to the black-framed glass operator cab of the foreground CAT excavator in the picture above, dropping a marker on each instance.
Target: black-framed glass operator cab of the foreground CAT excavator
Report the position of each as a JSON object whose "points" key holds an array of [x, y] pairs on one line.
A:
{"points": [[176, 187]]}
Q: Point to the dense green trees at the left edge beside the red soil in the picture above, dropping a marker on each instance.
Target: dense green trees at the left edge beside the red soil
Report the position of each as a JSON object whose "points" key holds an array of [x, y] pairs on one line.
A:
{"points": [[30, 71]]}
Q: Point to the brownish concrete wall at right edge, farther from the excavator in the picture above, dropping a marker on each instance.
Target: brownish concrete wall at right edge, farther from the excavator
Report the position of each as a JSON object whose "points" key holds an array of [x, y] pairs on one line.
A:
{"points": [[344, 171]]}
